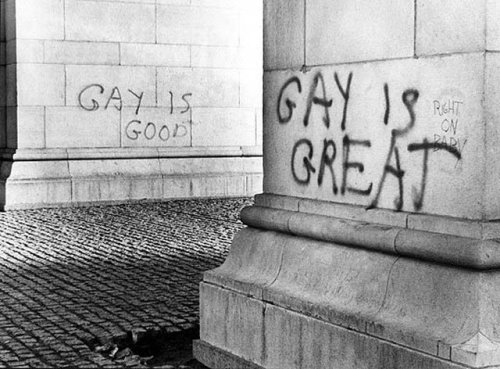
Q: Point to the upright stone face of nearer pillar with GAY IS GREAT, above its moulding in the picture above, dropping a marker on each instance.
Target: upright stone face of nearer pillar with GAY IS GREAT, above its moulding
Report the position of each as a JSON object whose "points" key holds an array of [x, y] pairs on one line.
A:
{"points": [[380, 104]]}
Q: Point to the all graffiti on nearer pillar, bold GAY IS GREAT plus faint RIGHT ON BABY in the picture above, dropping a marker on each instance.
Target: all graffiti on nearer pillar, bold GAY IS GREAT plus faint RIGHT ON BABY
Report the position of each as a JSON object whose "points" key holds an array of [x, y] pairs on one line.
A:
{"points": [[312, 162]]}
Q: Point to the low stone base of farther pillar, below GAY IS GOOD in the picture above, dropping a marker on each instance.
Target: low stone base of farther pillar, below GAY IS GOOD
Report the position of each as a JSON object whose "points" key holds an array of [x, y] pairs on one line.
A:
{"points": [[53, 179]]}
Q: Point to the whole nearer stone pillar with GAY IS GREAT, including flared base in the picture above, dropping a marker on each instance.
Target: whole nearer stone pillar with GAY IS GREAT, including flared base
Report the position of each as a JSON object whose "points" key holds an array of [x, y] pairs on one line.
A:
{"points": [[375, 243]]}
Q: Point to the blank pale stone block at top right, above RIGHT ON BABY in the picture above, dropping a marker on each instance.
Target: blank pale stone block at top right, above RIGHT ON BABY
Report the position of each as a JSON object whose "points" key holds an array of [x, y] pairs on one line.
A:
{"points": [[450, 27]]}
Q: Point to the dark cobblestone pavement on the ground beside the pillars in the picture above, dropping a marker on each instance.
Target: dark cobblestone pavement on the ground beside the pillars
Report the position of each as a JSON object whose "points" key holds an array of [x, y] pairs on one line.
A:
{"points": [[76, 276]]}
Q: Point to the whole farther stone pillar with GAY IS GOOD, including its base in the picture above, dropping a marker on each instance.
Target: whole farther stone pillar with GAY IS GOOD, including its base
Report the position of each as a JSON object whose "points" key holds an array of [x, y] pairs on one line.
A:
{"points": [[119, 100]]}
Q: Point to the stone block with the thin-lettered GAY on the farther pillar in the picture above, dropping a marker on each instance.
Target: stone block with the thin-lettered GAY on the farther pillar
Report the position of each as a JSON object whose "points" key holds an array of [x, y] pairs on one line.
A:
{"points": [[111, 87]]}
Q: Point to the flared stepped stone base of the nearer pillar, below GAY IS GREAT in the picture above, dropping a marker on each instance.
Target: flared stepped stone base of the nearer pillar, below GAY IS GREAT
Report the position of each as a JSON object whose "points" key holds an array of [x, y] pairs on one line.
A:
{"points": [[306, 291]]}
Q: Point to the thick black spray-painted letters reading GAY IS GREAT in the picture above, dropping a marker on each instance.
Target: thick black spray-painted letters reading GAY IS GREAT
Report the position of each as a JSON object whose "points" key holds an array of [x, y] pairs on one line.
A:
{"points": [[303, 151]]}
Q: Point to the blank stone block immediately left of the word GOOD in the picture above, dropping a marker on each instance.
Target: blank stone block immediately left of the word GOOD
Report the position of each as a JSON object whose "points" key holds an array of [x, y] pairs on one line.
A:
{"points": [[75, 127]]}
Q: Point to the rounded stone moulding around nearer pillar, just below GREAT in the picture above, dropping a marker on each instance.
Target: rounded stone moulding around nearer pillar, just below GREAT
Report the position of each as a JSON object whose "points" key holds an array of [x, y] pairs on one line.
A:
{"points": [[432, 246]]}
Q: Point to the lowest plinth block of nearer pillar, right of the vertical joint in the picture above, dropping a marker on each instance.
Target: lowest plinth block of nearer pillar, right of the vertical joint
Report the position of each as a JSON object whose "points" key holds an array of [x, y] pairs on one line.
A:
{"points": [[298, 341]]}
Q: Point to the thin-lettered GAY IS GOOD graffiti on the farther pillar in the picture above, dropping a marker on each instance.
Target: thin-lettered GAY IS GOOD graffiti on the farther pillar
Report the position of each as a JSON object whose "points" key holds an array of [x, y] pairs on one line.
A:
{"points": [[95, 97]]}
